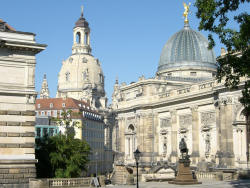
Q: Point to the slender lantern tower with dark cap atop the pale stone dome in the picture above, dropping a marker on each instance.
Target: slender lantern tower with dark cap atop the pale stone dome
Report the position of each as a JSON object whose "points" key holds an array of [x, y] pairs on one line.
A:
{"points": [[81, 36]]}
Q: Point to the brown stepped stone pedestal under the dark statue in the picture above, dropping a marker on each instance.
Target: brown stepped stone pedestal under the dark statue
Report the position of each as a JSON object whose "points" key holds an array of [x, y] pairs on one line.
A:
{"points": [[184, 175]]}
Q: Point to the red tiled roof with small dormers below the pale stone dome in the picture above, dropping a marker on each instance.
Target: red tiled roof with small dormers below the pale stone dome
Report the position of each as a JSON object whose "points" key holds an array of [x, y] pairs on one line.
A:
{"points": [[70, 103]]}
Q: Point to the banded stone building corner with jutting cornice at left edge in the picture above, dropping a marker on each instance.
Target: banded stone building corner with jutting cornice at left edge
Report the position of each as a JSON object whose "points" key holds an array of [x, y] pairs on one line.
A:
{"points": [[17, 105]]}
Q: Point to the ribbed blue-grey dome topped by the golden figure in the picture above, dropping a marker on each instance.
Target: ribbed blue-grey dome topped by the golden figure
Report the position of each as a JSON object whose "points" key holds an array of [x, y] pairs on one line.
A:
{"points": [[186, 50]]}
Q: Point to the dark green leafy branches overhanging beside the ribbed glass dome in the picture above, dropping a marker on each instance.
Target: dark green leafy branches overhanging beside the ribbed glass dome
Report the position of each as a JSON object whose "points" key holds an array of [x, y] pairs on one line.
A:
{"points": [[215, 17]]}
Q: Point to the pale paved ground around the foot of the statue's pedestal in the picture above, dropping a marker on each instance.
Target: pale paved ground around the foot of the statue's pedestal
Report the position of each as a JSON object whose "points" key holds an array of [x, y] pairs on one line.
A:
{"points": [[208, 184]]}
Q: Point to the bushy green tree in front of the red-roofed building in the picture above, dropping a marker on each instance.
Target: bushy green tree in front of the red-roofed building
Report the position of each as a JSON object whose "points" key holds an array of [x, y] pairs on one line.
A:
{"points": [[63, 156]]}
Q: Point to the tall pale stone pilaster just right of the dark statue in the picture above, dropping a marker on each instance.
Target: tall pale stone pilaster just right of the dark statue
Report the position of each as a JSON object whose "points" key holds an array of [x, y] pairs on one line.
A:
{"points": [[195, 135]]}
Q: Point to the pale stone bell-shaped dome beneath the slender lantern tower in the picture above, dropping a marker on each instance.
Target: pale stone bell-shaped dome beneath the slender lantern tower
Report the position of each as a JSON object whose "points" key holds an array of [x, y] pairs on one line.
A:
{"points": [[81, 72]]}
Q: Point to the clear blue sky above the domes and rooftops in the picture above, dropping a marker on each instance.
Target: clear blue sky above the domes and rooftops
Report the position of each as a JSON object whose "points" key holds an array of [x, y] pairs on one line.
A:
{"points": [[127, 36]]}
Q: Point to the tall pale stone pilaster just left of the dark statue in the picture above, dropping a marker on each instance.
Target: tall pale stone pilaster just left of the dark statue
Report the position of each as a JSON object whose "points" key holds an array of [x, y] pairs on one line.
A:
{"points": [[173, 155]]}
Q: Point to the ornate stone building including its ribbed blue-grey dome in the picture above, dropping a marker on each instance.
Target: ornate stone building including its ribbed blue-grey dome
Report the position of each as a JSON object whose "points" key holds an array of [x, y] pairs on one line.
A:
{"points": [[154, 114]]}
